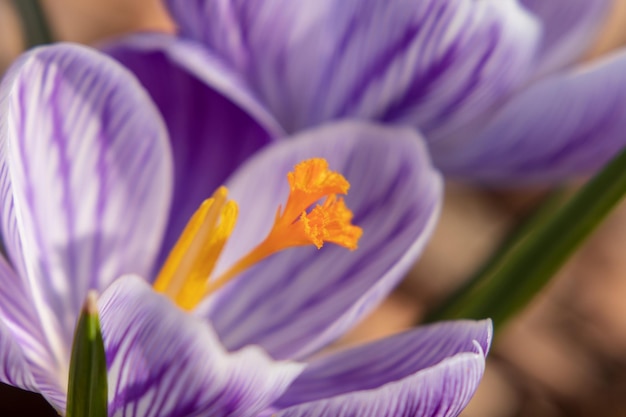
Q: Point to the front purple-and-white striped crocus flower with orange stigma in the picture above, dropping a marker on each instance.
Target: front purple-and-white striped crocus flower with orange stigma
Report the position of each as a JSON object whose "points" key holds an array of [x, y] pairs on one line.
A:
{"points": [[88, 189]]}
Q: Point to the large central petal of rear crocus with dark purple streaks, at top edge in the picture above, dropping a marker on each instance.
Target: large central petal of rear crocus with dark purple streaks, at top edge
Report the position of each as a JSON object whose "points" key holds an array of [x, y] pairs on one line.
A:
{"points": [[398, 61]]}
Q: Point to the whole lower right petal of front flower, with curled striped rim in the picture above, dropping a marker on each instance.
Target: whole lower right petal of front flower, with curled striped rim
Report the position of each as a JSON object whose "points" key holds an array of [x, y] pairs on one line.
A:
{"points": [[432, 371]]}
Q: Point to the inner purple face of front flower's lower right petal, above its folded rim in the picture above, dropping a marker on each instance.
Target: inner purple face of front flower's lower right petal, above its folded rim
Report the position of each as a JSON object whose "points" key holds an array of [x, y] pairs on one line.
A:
{"points": [[375, 364]]}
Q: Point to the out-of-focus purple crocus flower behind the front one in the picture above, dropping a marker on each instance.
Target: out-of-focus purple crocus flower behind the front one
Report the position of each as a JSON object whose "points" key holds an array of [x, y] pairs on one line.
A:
{"points": [[490, 84]]}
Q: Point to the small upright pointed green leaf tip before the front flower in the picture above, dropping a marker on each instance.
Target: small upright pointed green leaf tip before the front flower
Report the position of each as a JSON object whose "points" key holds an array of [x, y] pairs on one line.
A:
{"points": [[87, 388]]}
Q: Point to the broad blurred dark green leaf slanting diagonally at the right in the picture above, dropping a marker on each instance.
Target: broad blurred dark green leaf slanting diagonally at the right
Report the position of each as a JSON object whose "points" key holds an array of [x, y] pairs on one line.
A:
{"points": [[527, 262]]}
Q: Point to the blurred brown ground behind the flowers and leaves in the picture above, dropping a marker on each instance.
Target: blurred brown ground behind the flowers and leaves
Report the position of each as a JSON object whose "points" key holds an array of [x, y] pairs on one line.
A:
{"points": [[565, 355]]}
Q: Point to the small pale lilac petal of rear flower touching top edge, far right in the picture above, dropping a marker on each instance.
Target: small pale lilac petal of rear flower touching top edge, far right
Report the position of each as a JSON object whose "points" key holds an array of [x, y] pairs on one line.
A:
{"points": [[569, 28]]}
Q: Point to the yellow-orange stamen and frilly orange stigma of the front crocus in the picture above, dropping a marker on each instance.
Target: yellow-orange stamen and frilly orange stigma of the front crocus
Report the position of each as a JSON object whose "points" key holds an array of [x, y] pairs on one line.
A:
{"points": [[186, 277]]}
